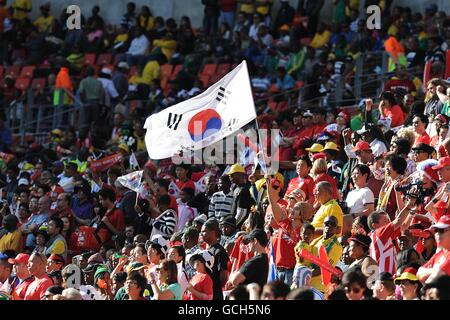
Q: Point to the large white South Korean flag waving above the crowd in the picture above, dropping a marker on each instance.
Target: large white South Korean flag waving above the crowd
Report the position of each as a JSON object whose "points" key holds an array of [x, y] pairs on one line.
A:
{"points": [[221, 110]]}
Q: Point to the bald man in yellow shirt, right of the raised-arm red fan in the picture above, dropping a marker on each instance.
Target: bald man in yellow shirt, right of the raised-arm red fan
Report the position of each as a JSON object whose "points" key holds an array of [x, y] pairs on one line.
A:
{"points": [[323, 193]]}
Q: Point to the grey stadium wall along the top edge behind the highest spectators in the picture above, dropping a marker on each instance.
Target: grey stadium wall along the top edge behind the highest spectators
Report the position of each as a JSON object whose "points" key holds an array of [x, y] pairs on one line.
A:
{"points": [[112, 10]]}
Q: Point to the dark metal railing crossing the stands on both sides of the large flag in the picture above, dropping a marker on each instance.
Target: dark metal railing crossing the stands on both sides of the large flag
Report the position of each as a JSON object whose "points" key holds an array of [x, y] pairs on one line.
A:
{"points": [[28, 116]]}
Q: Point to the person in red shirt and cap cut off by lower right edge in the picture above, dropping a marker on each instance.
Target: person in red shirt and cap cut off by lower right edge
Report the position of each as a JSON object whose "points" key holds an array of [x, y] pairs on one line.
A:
{"points": [[439, 264]]}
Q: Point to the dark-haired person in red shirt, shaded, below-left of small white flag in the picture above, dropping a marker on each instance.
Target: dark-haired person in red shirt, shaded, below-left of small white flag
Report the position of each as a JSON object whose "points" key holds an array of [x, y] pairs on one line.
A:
{"points": [[113, 222]]}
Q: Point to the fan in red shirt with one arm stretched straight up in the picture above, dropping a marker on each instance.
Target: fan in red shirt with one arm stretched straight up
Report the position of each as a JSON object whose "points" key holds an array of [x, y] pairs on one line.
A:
{"points": [[287, 235]]}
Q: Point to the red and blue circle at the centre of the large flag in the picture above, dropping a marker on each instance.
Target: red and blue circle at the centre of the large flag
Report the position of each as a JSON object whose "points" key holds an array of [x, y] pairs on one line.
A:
{"points": [[204, 124]]}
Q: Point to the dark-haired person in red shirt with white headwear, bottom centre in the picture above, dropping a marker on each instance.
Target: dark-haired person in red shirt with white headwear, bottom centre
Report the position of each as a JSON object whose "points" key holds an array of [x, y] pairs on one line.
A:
{"points": [[201, 285]]}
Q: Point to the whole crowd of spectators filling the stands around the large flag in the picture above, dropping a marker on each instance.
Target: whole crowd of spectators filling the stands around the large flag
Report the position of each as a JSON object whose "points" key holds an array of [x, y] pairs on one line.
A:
{"points": [[362, 192]]}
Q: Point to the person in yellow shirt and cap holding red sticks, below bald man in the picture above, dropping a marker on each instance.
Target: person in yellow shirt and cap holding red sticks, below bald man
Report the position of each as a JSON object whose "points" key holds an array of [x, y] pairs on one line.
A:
{"points": [[333, 248]]}
